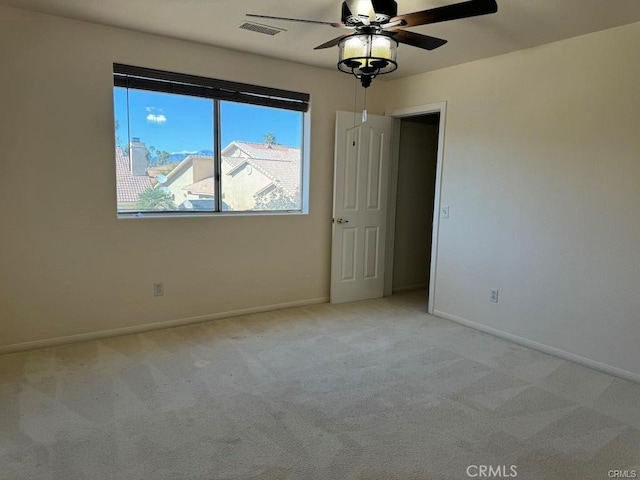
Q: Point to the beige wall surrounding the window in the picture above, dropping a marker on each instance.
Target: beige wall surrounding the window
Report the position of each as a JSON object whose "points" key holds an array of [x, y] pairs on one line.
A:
{"points": [[68, 265]]}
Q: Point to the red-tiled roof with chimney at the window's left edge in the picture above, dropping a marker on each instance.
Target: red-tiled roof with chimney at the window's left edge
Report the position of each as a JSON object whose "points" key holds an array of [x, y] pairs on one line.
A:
{"points": [[131, 176]]}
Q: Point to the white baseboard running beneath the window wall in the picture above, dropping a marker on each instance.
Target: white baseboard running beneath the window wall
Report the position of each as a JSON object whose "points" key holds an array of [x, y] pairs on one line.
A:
{"points": [[83, 337]]}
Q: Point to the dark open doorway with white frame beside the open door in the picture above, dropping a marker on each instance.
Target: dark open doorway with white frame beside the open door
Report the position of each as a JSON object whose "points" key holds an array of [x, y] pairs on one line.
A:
{"points": [[414, 204]]}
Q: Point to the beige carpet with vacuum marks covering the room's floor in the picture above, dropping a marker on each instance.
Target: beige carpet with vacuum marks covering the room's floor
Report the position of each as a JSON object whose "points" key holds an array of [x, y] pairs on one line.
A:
{"points": [[369, 390]]}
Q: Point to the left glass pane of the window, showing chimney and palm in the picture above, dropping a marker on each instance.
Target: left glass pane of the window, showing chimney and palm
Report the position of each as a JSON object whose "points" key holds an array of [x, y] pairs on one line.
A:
{"points": [[164, 152]]}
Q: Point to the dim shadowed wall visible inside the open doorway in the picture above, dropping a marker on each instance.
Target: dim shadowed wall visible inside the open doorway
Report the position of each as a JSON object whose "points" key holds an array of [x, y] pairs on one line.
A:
{"points": [[414, 204]]}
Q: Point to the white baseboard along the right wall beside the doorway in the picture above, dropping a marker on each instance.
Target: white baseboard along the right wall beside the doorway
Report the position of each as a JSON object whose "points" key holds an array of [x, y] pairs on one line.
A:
{"points": [[587, 362]]}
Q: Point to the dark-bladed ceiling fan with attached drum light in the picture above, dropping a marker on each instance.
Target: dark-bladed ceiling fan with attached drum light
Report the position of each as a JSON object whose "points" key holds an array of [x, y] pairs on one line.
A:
{"points": [[376, 29]]}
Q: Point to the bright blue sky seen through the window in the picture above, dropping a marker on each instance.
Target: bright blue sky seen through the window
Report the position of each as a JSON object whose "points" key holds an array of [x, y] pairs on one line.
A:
{"points": [[177, 123]]}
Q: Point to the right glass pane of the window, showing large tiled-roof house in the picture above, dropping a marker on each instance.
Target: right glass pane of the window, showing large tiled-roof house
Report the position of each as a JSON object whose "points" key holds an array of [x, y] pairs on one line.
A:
{"points": [[261, 158]]}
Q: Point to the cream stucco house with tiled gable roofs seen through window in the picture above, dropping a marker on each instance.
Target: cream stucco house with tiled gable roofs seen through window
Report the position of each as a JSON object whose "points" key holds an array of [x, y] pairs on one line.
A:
{"points": [[250, 171]]}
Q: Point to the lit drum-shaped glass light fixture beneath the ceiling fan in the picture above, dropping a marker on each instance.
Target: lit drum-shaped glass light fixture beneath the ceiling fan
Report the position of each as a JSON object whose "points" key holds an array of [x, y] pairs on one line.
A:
{"points": [[367, 55]]}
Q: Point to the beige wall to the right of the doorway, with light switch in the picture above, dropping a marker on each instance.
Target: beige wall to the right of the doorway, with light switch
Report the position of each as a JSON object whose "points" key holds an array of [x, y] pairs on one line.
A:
{"points": [[542, 175]]}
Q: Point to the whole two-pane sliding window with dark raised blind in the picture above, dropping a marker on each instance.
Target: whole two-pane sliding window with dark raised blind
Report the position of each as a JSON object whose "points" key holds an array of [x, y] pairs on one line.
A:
{"points": [[187, 144]]}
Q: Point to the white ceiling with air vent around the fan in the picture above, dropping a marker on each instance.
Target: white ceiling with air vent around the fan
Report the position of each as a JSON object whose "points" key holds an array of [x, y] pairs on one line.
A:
{"points": [[518, 24]]}
